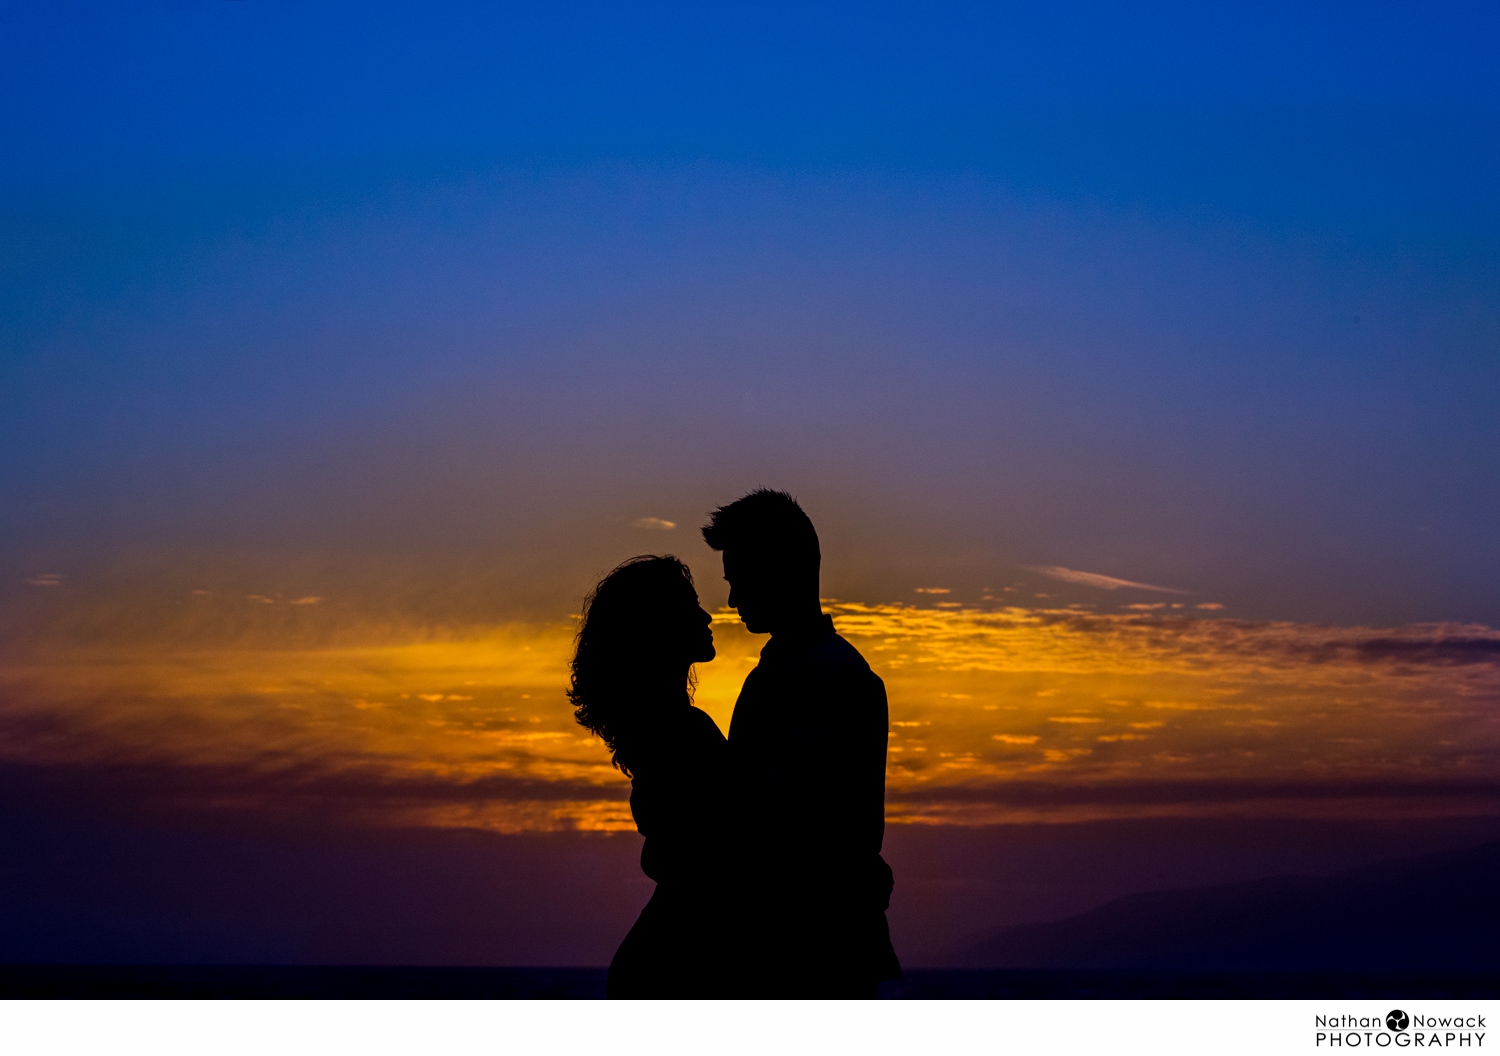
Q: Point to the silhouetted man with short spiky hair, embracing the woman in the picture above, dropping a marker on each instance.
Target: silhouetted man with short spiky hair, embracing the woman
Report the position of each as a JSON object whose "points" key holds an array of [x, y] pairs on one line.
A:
{"points": [[808, 748]]}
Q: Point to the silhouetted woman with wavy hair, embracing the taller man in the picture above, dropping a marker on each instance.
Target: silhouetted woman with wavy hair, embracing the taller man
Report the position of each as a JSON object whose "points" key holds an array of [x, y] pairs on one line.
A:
{"points": [[632, 685]]}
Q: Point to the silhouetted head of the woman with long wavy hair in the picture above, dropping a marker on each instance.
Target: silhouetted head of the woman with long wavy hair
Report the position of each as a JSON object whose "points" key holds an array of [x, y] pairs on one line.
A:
{"points": [[643, 631]]}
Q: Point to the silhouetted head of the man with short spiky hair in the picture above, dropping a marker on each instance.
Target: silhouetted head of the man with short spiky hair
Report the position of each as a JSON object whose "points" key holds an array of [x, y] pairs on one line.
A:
{"points": [[772, 559]]}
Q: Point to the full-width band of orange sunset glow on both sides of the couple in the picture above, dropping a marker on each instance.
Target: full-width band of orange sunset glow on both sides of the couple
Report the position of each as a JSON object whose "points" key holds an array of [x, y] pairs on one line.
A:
{"points": [[998, 716]]}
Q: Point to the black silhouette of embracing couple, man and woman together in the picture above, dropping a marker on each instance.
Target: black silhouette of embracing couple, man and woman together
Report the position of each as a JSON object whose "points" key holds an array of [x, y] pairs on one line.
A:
{"points": [[766, 848]]}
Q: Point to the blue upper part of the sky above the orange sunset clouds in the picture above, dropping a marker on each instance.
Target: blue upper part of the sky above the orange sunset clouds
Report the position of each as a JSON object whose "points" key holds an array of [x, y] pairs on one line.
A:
{"points": [[1204, 298]]}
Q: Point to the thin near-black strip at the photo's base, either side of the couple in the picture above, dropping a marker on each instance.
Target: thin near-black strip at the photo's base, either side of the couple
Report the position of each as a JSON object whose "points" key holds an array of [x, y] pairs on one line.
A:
{"points": [[137, 982]]}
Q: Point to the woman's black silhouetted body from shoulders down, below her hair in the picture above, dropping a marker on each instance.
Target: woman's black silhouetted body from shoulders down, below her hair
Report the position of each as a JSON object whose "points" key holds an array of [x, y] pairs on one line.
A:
{"points": [[679, 797]]}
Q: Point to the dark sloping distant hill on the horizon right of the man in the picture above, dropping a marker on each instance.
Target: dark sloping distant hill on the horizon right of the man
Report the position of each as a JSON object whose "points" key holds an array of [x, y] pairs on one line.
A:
{"points": [[1438, 913]]}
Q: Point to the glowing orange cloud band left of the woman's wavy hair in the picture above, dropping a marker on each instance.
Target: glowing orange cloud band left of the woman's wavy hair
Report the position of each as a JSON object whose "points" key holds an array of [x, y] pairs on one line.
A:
{"points": [[470, 731]]}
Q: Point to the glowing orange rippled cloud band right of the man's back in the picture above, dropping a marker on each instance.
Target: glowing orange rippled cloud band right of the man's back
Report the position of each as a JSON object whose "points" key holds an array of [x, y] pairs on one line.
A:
{"points": [[1180, 698]]}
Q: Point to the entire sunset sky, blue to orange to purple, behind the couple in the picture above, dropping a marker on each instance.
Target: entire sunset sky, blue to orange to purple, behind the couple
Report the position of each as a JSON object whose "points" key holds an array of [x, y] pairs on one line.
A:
{"points": [[1138, 365]]}
